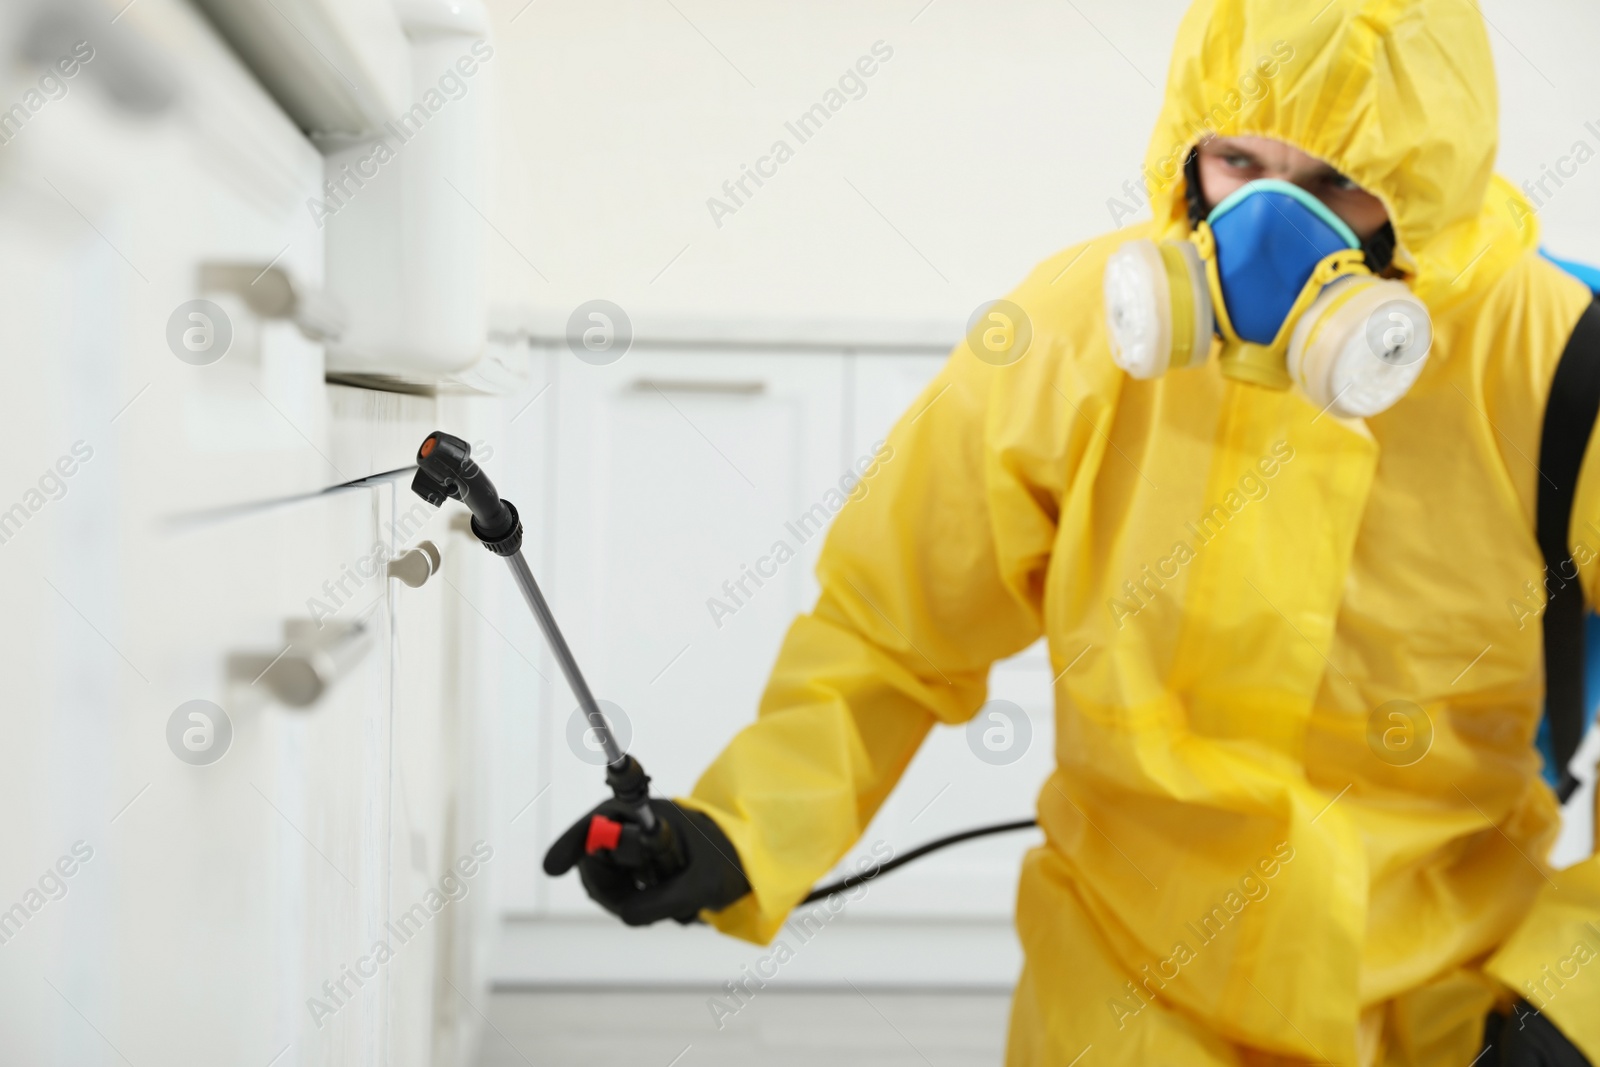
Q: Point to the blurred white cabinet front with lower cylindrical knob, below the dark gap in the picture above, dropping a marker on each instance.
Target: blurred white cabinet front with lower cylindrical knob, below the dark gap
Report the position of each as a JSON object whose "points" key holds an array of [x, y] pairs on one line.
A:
{"points": [[218, 898]]}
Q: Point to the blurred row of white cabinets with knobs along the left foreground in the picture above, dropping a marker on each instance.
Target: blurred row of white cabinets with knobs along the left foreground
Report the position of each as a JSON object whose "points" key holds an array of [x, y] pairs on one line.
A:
{"points": [[170, 521]]}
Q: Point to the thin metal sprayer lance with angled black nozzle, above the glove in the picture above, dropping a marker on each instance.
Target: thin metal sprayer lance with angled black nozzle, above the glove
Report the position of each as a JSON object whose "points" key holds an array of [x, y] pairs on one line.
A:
{"points": [[447, 471]]}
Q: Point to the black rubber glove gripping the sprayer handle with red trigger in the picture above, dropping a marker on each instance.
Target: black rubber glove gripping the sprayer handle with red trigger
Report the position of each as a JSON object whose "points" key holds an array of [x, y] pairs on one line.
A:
{"points": [[690, 865]]}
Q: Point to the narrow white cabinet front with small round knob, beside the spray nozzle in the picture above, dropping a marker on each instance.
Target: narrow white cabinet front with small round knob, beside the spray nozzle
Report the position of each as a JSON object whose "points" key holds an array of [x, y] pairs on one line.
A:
{"points": [[444, 847]]}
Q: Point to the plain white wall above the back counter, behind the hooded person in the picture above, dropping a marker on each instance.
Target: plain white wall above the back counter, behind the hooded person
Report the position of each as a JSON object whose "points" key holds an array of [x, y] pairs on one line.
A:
{"points": [[991, 140]]}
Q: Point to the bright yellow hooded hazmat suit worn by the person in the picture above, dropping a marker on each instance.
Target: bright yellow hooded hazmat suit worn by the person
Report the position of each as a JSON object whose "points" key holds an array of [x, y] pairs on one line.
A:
{"points": [[1233, 874]]}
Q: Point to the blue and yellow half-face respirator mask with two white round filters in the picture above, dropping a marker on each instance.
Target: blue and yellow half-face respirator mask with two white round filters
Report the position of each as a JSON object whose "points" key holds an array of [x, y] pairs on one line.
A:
{"points": [[1286, 286]]}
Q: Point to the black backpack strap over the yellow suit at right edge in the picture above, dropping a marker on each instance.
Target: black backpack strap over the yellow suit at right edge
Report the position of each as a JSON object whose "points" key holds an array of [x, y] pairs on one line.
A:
{"points": [[1569, 423]]}
